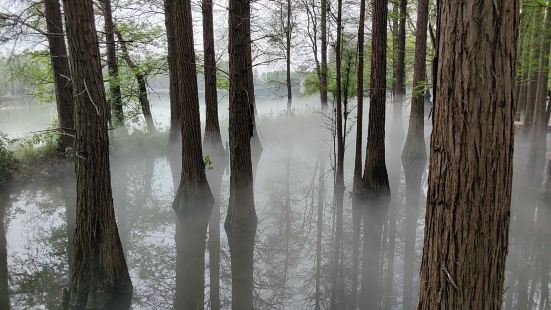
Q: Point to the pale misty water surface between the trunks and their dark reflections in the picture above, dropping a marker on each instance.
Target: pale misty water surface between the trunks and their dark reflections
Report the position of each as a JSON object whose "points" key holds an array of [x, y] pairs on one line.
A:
{"points": [[37, 224]]}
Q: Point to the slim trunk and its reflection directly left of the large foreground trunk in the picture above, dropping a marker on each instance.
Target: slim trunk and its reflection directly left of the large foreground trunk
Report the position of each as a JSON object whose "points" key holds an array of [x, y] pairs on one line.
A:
{"points": [[414, 154]]}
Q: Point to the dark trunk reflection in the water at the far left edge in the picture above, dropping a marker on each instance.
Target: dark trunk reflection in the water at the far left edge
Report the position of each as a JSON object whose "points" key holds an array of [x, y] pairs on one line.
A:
{"points": [[4, 274]]}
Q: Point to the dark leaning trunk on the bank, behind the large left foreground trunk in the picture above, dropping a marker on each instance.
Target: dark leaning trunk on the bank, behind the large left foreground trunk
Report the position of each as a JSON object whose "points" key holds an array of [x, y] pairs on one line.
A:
{"points": [[62, 73]]}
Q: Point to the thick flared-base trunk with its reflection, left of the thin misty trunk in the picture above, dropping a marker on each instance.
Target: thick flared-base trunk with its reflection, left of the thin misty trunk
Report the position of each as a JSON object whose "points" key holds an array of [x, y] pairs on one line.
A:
{"points": [[193, 201]]}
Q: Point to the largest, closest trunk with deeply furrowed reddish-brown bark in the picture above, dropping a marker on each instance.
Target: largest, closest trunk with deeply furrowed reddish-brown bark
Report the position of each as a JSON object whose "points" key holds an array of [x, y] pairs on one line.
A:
{"points": [[469, 195]]}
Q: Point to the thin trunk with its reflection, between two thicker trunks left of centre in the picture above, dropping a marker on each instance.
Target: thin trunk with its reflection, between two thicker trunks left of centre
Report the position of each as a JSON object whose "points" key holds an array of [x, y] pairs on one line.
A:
{"points": [[212, 144]]}
